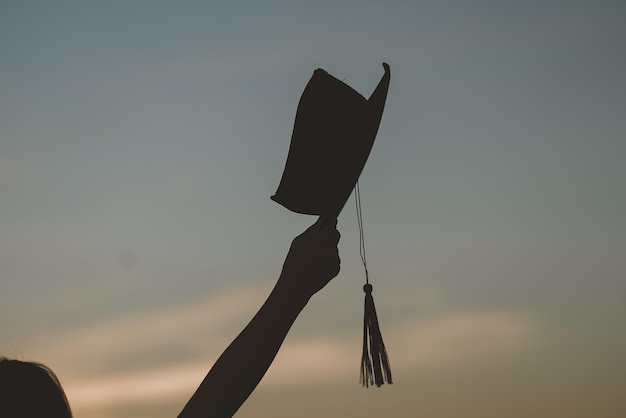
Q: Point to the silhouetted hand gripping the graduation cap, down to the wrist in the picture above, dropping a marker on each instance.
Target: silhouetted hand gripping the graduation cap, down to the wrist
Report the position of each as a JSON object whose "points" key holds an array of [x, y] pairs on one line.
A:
{"points": [[312, 261]]}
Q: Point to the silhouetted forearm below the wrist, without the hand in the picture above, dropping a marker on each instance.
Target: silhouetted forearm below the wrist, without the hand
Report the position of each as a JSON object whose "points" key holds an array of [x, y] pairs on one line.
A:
{"points": [[244, 363]]}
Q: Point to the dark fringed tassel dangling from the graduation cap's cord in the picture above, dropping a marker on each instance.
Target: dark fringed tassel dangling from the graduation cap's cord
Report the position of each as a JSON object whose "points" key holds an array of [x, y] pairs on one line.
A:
{"points": [[375, 369]]}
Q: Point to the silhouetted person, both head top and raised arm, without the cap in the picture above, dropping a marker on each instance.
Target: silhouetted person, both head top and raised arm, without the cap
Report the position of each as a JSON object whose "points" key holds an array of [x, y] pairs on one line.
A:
{"points": [[32, 390]]}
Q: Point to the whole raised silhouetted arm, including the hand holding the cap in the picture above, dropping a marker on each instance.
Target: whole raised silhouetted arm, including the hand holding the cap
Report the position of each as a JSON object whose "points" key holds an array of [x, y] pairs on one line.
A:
{"points": [[312, 261]]}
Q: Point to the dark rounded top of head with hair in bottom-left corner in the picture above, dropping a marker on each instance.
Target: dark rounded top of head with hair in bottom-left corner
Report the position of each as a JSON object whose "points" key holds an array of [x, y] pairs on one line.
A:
{"points": [[29, 389]]}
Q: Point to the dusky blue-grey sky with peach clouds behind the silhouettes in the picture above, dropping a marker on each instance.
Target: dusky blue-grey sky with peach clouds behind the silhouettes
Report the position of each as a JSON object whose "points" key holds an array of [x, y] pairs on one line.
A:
{"points": [[140, 142]]}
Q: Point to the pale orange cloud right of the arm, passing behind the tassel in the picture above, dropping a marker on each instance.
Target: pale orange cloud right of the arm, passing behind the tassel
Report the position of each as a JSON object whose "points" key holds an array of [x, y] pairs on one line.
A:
{"points": [[413, 345]]}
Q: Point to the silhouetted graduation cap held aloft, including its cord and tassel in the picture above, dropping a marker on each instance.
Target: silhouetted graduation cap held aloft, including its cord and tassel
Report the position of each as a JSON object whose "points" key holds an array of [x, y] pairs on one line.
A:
{"points": [[333, 134]]}
